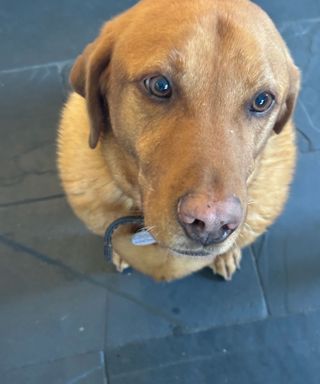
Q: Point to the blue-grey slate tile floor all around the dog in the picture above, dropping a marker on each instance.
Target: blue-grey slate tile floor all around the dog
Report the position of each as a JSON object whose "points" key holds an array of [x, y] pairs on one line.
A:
{"points": [[66, 316]]}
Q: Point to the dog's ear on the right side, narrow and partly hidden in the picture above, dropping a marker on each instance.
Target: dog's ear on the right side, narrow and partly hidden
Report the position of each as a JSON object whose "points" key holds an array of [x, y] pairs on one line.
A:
{"points": [[290, 102]]}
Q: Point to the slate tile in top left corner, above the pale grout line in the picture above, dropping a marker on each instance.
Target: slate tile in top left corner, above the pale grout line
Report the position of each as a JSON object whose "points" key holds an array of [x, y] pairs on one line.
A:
{"points": [[45, 31]]}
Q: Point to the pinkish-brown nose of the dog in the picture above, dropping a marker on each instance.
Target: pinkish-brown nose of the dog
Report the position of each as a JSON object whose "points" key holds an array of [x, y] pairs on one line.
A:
{"points": [[208, 221]]}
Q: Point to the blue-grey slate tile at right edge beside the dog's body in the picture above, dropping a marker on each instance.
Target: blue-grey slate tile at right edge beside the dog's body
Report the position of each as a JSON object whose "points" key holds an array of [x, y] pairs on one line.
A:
{"points": [[288, 255]]}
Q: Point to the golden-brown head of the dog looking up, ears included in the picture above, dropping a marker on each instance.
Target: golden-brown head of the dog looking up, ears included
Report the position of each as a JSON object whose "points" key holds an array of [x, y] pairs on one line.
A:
{"points": [[184, 96]]}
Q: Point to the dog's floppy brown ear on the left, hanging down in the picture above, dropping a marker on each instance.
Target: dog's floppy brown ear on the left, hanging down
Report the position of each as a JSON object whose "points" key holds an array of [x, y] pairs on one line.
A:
{"points": [[85, 78]]}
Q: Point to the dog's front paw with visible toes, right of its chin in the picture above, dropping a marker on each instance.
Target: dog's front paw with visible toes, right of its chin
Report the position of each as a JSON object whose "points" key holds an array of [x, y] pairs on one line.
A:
{"points": [[226, 265]]}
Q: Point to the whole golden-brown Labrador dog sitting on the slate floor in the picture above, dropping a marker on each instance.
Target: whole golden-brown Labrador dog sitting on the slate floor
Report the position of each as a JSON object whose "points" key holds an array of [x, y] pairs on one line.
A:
{"points": [[188, 108]]}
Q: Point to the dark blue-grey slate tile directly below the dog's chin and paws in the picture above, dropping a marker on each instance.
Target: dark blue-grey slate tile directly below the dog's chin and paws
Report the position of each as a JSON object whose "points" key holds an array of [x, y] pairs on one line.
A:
{"points": [[199, 302]]}
